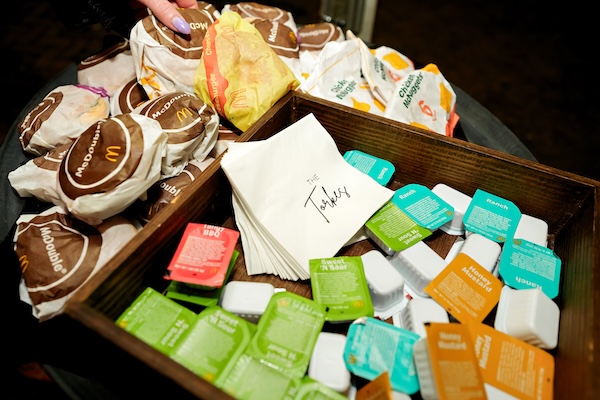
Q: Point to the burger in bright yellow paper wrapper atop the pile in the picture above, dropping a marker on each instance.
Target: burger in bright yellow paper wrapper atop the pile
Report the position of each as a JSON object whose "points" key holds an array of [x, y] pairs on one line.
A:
{"points": [[239, 75]]}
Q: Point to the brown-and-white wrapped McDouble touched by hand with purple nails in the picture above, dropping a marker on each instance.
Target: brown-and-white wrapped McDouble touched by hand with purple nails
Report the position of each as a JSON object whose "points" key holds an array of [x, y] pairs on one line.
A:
{"points": [[165, 61]]}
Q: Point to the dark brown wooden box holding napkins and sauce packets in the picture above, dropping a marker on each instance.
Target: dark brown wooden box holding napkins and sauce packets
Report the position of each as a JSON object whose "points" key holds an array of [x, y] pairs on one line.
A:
{"points": [[569, 203]]}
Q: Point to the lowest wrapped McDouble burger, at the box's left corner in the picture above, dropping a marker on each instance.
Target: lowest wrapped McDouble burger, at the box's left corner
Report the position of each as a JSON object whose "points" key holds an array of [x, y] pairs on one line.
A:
{"points": [[58, 254]]}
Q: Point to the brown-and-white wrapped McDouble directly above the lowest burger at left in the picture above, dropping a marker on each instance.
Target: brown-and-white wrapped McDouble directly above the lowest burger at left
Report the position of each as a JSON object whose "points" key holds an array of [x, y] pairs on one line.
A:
{"points": [[110, 166]]}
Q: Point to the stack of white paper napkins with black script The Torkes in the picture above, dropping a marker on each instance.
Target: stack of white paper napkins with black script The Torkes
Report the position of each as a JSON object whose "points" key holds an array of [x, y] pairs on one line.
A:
{"points": [[295, 198]]}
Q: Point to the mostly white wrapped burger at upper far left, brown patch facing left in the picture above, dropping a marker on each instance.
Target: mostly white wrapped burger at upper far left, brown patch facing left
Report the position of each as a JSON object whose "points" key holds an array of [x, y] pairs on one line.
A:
{"points": [[61, 116]]}
